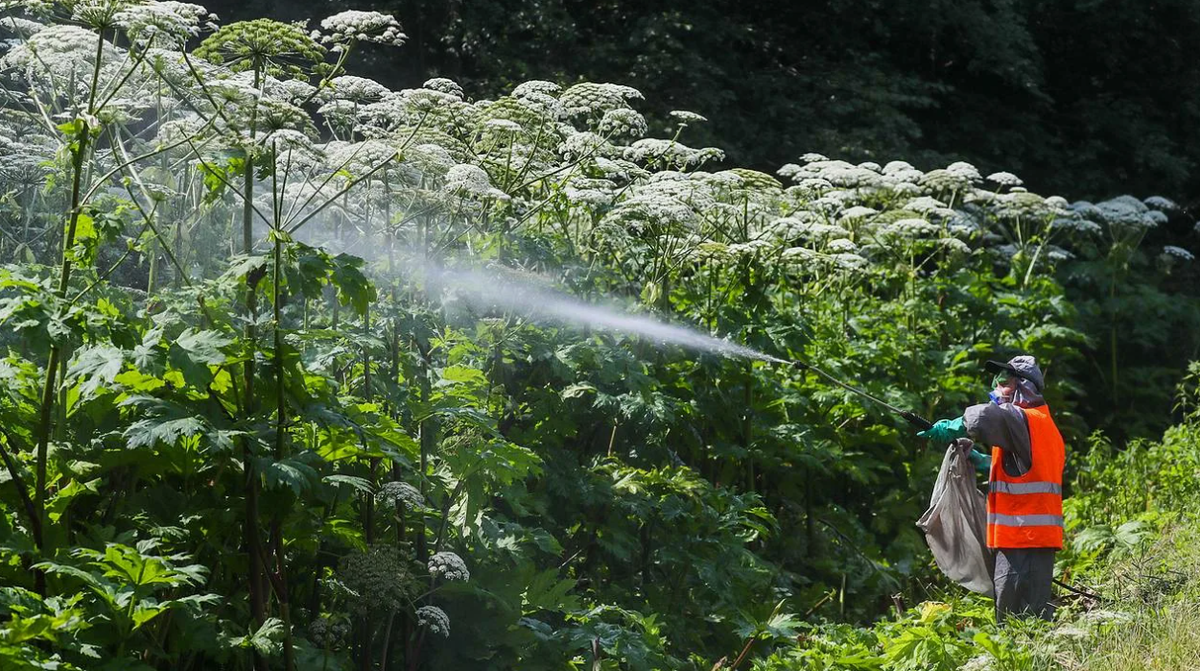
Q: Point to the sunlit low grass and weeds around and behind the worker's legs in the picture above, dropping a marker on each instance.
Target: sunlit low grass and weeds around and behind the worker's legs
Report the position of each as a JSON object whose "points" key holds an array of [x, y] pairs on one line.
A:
{"points": [[1136, 552]]}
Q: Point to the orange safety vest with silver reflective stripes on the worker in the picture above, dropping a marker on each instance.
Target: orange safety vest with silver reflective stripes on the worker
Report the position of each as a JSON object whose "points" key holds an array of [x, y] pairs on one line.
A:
{"points": [[1027, 512]]}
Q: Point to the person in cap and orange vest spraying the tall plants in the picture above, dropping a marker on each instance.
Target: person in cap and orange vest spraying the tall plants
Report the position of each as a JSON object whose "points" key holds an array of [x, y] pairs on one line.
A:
{"points": [[1025, 483]]}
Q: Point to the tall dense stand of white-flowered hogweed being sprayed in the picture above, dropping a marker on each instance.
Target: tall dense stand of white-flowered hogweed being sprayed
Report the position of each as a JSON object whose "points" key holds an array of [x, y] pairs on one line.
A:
{"points": [[236, 367]]}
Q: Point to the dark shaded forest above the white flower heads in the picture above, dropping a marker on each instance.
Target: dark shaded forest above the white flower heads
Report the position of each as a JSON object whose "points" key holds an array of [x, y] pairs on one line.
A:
{"points": [[1082, 98]]}
